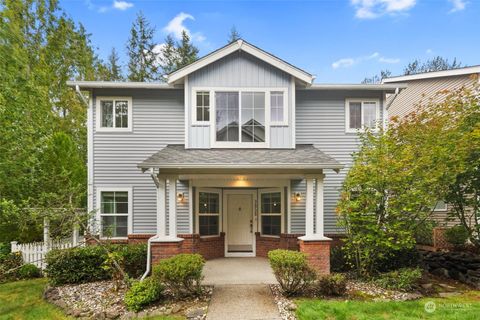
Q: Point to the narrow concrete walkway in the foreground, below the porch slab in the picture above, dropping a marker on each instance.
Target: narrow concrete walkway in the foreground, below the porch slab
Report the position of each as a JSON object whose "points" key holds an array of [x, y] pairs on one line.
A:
{"points": [[242, 302]]}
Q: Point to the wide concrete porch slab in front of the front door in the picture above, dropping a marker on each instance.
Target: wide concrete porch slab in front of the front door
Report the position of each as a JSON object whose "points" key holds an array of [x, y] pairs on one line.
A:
{"points": [[225, 271]]}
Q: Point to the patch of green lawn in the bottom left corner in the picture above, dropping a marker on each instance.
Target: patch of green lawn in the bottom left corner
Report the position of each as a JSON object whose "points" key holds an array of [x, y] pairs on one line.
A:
{"points": [[23, 300]]}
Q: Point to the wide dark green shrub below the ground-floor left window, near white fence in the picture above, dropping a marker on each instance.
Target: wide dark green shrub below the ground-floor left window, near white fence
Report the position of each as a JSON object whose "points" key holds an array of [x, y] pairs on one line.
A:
{"points": [[77, 265]]}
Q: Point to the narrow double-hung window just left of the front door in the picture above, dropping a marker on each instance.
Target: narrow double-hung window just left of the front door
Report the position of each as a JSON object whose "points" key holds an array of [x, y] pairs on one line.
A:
{"points": [[208, 208]]}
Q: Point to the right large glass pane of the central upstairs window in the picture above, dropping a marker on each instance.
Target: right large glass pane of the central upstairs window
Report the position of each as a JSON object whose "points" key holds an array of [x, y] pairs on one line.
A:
{"points": [[253, 117]]}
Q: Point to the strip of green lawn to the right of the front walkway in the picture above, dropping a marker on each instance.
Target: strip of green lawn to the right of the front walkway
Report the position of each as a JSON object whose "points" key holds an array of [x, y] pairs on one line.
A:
{"points": [[463, 307]]}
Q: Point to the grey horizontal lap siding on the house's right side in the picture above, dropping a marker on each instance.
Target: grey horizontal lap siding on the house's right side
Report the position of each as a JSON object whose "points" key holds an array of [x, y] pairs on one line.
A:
{"points": [[320, 120]]}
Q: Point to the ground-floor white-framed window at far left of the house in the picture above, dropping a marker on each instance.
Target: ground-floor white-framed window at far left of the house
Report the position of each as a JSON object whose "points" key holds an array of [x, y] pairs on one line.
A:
{"points": [[115, 209]]}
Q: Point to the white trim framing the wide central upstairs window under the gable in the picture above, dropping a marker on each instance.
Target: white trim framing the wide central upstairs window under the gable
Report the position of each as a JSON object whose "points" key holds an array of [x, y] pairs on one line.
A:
{"points": [[212, 122]]}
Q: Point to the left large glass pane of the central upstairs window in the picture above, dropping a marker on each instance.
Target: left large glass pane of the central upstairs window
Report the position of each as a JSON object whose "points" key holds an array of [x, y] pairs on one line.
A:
{"points": [[227, 116]]}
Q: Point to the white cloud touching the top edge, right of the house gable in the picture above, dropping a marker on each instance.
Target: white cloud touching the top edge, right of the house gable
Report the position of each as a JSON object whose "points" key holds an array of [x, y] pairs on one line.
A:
{"points": [[371, 9]]}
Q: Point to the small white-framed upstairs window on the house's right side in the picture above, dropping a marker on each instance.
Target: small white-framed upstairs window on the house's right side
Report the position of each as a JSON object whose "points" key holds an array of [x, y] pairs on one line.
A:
{"points": [[361, 114]]}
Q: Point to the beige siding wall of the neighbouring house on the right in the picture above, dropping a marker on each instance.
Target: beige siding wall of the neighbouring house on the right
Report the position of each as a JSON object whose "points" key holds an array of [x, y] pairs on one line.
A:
{"points": [[421, 91]]}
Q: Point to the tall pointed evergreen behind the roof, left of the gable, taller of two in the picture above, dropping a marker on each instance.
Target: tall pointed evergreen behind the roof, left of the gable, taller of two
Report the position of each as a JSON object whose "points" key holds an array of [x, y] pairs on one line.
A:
{"points": [[142, 65]]}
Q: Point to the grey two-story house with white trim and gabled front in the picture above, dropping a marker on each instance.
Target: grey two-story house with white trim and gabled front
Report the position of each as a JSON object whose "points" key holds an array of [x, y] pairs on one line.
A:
{"points": [[237, 154]]}
